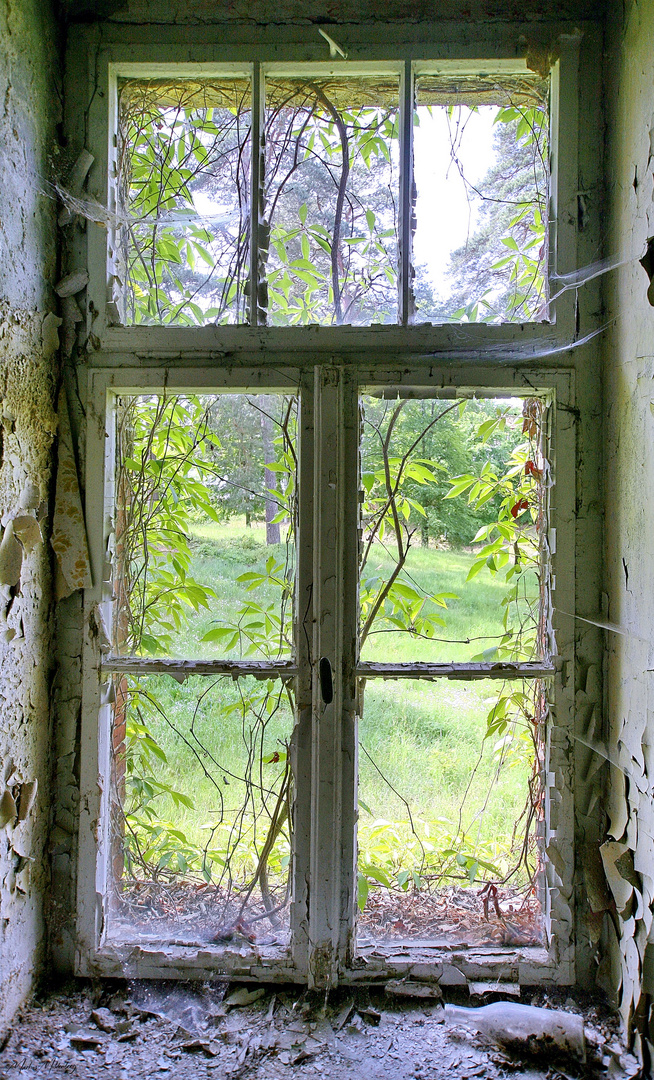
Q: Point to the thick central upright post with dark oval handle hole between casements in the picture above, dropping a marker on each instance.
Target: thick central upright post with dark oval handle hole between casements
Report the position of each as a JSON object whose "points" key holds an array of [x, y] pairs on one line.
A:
{"points": [[334, 737]]}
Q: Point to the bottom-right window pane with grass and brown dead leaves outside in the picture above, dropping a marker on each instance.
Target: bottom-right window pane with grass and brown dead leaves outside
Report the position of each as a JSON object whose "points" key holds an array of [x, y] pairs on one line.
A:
{"points": [[452, 813]]}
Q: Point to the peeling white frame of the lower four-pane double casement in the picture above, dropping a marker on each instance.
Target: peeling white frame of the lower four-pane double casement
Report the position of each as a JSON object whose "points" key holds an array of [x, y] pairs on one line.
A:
{"points": [[325, 738]]}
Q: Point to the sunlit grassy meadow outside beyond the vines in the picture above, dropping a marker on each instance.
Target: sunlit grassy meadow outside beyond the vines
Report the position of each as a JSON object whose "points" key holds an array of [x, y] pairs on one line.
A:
{"points": [[424, 757]]}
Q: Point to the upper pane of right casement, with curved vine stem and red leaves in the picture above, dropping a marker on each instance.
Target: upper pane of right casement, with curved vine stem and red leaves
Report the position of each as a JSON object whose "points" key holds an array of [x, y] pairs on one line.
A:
{"points": [[454, 555]]}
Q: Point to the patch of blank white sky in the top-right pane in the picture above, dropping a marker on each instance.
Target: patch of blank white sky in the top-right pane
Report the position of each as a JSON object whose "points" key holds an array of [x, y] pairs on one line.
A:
{"points": [[444, 213]]}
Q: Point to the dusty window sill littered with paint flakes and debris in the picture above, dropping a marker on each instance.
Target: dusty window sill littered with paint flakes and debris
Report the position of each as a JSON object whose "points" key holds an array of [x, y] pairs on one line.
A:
{"points": [[151, 1030]]}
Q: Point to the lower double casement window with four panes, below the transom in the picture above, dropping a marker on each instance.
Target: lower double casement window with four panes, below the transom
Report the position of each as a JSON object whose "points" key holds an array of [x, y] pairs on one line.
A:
{"points": [[211, 819]]}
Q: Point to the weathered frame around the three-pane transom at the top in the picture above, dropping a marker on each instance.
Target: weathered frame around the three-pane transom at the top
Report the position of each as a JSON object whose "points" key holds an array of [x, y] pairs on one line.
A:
{"points": [[96, 88]]}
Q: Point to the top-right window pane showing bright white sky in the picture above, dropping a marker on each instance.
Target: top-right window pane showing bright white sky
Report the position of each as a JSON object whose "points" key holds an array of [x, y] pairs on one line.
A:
{"points": [[481, 168]]}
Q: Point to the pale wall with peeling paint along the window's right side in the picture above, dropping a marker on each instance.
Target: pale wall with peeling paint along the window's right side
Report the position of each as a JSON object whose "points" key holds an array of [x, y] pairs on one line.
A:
{"points": [[628, 854]]}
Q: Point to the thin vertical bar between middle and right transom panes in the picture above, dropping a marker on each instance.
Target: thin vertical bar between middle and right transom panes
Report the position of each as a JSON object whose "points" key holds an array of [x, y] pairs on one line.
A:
{"points": [[406, 194]]}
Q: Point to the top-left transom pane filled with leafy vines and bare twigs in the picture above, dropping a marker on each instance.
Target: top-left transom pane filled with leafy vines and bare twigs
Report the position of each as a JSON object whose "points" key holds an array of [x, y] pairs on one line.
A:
{"points": [[184, 184]]}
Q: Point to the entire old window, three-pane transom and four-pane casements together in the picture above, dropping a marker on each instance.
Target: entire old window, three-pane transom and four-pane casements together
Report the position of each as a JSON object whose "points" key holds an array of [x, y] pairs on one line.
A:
{"points": [[260, 352]]}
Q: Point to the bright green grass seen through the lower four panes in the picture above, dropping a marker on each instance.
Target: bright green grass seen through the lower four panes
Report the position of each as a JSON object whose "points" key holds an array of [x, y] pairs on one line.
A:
{"points": [[423, 740]]}
